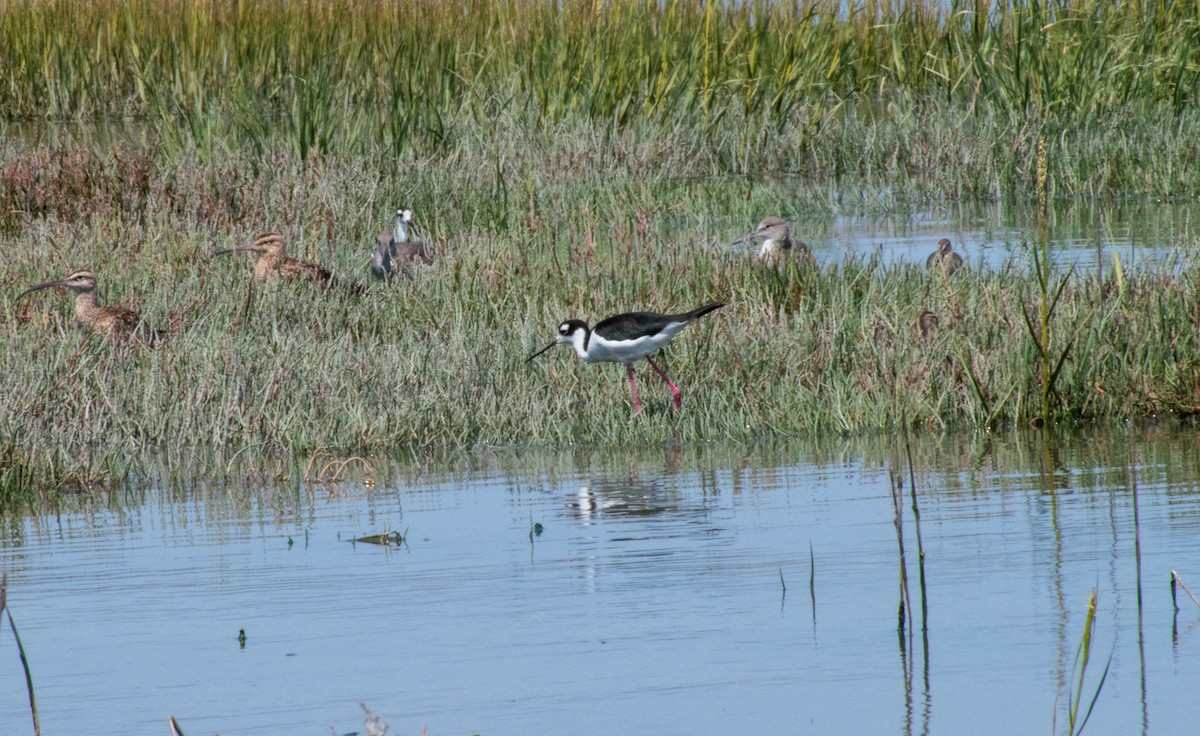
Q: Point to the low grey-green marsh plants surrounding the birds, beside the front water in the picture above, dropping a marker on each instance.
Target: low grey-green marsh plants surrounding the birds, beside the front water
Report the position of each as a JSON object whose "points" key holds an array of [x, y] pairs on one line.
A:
{"points": [[439, 360]]}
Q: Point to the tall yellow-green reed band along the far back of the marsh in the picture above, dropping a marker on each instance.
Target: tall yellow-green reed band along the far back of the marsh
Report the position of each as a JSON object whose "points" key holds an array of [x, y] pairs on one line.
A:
{"points": [[619, 61]]}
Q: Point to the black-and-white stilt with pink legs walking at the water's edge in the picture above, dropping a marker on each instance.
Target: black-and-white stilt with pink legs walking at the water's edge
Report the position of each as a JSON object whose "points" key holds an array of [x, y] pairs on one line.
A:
{"points": [[626, 339]]}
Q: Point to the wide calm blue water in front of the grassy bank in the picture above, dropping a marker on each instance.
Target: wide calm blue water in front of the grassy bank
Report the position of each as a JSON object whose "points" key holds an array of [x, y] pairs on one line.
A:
{"points": [[653, 600]]}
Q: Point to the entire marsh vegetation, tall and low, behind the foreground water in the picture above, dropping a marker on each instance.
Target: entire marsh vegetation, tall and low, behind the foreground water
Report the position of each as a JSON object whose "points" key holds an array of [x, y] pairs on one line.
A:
{"points": [[571, 160]]}
